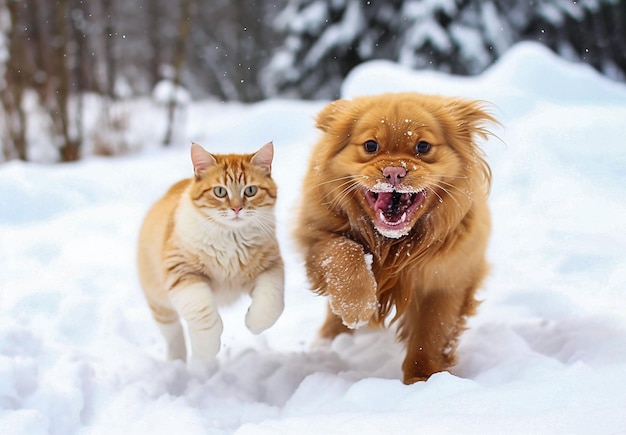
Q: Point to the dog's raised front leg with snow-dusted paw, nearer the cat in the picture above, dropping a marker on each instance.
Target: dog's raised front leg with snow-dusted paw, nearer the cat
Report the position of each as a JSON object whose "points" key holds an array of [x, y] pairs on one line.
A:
{"points": [[338, 267]]}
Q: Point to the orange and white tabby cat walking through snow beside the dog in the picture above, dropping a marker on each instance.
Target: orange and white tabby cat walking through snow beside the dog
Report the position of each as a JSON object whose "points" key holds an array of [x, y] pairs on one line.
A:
{"points": [[207, 242]]}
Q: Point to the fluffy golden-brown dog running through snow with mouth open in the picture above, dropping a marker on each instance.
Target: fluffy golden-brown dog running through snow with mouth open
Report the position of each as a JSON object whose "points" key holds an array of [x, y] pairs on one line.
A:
{"points": [[394, 219]]}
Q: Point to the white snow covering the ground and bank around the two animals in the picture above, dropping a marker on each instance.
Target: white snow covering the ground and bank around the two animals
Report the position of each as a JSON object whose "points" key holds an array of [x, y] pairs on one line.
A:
{"points": [[546, 353]]}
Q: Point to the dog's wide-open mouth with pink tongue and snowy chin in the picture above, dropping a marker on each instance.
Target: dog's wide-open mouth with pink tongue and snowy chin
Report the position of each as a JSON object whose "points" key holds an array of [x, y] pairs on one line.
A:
{"points": [[393, 210]]}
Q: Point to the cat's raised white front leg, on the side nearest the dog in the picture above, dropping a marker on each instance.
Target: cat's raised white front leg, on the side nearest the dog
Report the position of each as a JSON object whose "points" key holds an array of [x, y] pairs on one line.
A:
{"points": [[268, 300]]}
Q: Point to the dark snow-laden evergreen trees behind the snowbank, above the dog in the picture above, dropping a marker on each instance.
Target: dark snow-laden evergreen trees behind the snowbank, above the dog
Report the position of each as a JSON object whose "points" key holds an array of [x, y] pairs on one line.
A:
{"points": [[325, 39]]}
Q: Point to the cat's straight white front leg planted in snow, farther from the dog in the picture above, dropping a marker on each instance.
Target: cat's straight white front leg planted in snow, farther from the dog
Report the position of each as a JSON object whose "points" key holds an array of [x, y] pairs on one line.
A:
{"points": [[195, 303]]}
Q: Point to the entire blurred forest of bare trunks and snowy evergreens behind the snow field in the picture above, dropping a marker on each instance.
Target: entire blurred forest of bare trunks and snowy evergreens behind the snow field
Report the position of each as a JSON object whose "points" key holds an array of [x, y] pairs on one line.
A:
{"points": [[57, 55]]}
